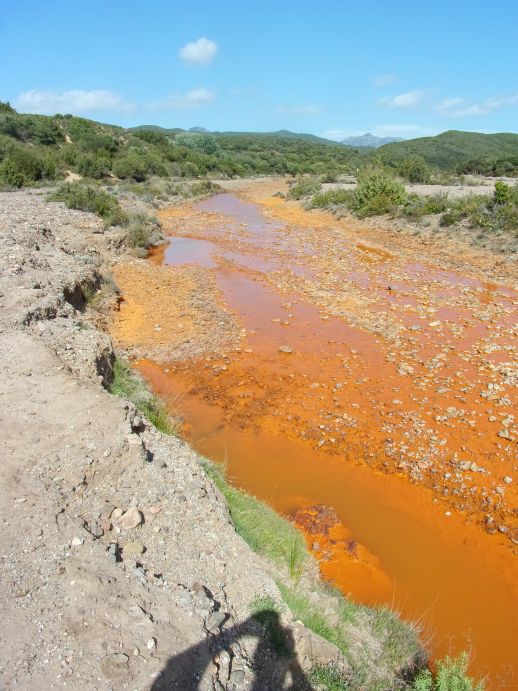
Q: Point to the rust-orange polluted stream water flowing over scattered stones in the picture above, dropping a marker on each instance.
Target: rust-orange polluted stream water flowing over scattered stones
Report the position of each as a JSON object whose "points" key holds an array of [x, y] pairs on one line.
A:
{"points": [[332, 428]]}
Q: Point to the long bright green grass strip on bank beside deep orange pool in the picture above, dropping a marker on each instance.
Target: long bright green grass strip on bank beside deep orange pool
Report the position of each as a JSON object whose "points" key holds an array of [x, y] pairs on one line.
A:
{"points": [[261, 527]]}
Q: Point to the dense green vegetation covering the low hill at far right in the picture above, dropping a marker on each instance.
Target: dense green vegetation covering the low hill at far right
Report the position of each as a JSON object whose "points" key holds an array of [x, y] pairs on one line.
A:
{"points": [[462, 152]]}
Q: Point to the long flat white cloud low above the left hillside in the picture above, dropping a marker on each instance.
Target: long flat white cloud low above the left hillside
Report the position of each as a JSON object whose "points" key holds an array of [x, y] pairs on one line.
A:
{"points": [[73, 101]]}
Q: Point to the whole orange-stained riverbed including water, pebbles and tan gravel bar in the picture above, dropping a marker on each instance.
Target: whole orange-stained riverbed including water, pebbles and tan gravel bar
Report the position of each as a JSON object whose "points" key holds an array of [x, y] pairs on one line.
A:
{"points": [[358, 379]]}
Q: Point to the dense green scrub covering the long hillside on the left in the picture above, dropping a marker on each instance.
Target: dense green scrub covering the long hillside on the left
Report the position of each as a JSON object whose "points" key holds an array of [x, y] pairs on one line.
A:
{"points": [[37, 148]]}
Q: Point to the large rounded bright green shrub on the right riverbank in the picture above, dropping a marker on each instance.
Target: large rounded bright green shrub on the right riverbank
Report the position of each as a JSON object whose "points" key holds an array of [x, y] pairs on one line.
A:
{"points": [[377, 192]]}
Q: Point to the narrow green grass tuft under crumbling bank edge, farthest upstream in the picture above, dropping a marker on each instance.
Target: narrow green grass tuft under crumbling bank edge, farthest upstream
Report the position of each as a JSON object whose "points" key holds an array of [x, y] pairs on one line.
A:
{"points": [[128, 384]]}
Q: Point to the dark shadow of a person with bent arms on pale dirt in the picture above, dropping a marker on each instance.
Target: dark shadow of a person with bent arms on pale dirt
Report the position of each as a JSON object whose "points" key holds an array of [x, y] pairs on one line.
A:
{"points": [[275, 666]]}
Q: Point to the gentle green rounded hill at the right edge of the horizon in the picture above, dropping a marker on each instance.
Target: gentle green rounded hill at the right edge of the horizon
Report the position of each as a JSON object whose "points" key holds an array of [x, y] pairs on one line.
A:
{"points": [[452, 149]]}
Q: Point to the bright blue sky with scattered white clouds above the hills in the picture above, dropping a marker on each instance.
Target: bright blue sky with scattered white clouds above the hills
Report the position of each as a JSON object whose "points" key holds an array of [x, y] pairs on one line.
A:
{"points": [[331, 68]]}
